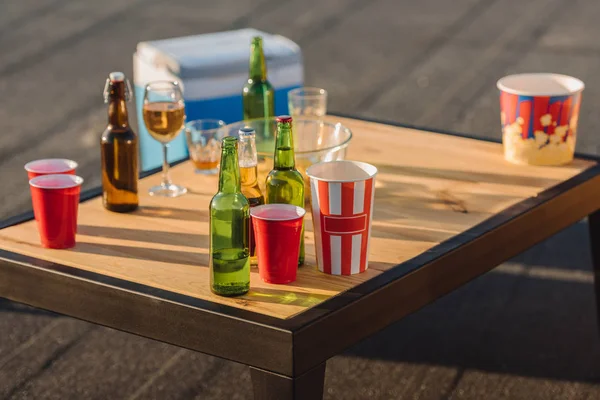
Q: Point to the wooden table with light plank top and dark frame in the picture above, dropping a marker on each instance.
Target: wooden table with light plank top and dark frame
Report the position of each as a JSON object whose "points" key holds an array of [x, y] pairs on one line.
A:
{"points": [[447, 209]]}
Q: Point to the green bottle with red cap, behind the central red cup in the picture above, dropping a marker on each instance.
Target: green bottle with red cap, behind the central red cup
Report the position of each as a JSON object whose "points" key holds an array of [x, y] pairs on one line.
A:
{"points": [[284, 183]]}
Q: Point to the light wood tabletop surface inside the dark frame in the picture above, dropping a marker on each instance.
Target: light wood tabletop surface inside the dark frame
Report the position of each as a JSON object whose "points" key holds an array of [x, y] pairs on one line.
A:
{"points": [[430, 187]]}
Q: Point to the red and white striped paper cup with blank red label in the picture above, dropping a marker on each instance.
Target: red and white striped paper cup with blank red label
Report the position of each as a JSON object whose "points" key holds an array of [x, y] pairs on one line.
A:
{"points": [[342, 195]]}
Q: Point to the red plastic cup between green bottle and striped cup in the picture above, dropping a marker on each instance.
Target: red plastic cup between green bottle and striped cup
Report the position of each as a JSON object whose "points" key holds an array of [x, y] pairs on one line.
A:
{"points": [[277, 229]]}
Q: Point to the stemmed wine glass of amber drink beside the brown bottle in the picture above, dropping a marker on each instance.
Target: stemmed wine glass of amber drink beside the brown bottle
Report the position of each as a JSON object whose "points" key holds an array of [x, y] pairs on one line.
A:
{"points": [[164, 116]]}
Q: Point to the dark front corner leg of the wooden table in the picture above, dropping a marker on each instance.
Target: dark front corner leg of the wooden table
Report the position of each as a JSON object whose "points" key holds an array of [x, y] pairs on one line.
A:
{"points": [[270, 386]]}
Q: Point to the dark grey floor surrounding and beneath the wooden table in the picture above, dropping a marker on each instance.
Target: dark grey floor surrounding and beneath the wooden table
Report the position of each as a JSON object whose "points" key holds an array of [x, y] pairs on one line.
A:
{"points": [[524, 331]]}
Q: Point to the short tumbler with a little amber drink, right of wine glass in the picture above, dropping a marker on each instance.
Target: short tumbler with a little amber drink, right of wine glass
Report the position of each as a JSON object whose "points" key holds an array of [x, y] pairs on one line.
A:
{"points": [[203, 143]]}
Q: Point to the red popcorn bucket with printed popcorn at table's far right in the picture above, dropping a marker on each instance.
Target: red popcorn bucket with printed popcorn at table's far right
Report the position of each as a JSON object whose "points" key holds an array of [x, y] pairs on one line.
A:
{"points": [[539, 114]]}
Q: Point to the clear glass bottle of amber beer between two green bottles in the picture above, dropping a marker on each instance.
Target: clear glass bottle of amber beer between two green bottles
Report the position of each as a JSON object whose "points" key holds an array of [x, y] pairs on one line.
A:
{"points": [[249, 174]]}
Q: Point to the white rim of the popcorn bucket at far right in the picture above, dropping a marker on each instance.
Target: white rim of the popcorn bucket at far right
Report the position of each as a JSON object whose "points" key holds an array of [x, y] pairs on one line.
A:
{"points": [[507, 84]]}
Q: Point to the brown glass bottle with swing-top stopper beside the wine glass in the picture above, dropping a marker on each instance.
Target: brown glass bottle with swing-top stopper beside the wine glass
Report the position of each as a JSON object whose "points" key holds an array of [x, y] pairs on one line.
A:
{"points": [[119, 149]]}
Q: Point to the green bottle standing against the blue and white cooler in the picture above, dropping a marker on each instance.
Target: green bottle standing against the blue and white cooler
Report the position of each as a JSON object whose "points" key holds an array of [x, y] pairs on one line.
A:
{"points": [[258, 96]]}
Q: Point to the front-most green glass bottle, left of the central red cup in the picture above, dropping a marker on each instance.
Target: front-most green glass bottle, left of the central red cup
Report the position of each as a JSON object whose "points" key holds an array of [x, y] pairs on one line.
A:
{"points": [[229, 260]]}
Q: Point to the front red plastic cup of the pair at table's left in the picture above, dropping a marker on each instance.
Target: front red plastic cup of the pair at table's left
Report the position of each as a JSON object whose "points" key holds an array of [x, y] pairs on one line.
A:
{"points": [[55, 202]]}
